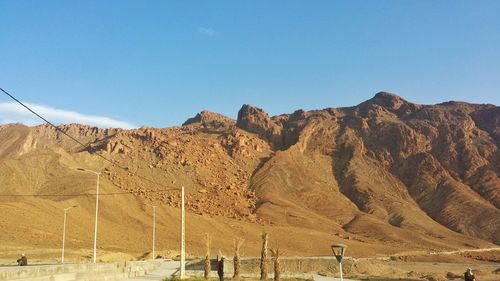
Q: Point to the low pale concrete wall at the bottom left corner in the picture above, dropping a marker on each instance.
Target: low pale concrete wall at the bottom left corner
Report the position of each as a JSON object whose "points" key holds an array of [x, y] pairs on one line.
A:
{"points": [[85, 272]]}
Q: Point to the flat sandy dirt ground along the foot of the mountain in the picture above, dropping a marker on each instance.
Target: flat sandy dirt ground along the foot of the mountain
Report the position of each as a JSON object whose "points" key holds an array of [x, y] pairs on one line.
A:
{"points": [[418, 266]]}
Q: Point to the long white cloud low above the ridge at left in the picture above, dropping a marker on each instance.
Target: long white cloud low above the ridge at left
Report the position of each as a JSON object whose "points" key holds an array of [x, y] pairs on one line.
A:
{"points": [[11, 112]]}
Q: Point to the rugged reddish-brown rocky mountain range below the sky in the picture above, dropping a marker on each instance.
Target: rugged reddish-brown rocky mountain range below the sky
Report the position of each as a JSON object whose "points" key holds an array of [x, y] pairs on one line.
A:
{"points": [[382, 175]]}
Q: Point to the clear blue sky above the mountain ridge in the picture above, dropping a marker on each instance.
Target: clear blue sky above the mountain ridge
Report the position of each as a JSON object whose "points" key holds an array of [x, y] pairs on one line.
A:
{"points": [[157, 63]]}
